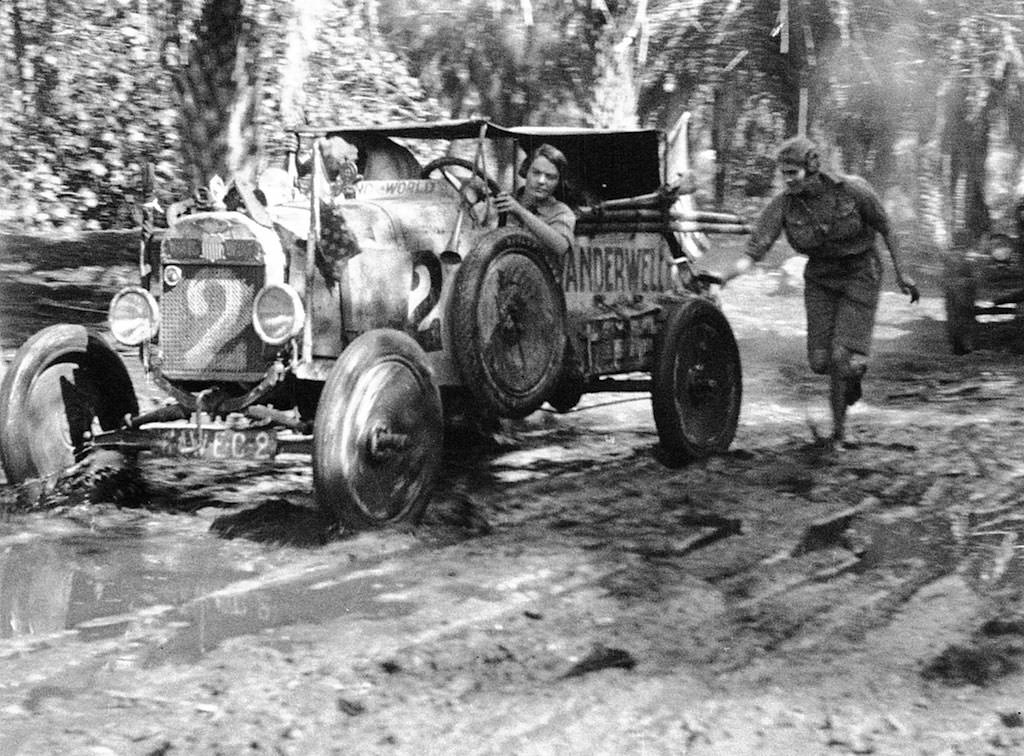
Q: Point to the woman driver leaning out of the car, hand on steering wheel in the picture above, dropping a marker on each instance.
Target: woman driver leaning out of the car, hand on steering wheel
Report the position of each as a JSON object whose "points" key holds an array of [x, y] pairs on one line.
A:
{"points": [[534, 207]]}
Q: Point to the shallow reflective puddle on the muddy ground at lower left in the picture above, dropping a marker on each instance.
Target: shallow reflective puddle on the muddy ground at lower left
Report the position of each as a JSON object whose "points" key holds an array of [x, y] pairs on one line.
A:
{"points": [[166, 601]]}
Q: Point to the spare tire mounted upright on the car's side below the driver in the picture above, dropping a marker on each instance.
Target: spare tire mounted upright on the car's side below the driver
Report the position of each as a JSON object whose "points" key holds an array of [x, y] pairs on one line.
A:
{"points": [[508, 324]]}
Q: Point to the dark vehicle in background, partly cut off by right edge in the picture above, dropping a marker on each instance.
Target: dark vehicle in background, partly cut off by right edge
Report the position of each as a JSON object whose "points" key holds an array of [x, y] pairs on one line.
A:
{"points": [[985, 279]]}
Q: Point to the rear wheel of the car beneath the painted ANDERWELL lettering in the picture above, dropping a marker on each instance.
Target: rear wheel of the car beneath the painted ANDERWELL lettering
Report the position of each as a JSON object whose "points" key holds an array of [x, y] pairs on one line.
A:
{"points": [[697, 384]]}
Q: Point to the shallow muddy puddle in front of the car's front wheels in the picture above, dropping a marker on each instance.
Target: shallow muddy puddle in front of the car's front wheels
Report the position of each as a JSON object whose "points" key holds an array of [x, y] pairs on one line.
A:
{"points": [[170, 589]]}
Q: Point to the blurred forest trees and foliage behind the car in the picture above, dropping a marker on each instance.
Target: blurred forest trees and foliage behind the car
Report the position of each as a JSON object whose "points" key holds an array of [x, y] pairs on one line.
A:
{"points": [[923, 97]]}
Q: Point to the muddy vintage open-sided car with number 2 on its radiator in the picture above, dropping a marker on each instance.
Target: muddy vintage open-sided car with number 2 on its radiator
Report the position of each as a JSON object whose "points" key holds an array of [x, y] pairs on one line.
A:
{"points": [[342, 310]]}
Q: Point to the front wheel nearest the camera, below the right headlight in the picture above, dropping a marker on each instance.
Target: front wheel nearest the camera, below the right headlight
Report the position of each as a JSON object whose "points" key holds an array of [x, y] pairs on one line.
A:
{"points": [[378, 433]]}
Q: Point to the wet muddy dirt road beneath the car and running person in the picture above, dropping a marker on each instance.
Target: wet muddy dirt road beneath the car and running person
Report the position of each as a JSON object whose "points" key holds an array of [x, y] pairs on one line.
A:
{"points": [[567, 593]]}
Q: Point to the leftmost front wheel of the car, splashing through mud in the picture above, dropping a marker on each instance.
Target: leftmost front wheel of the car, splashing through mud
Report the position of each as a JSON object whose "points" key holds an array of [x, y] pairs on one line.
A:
{"points": [[64, 385]]}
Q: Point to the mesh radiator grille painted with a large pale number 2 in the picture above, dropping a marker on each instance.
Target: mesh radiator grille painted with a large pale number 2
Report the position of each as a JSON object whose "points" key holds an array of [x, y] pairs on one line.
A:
{"points": [[206, 324]]}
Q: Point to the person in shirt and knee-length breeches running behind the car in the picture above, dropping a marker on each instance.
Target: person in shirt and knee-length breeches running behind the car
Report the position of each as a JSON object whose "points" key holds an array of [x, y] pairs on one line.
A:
{"points": [[834, 221]]}
